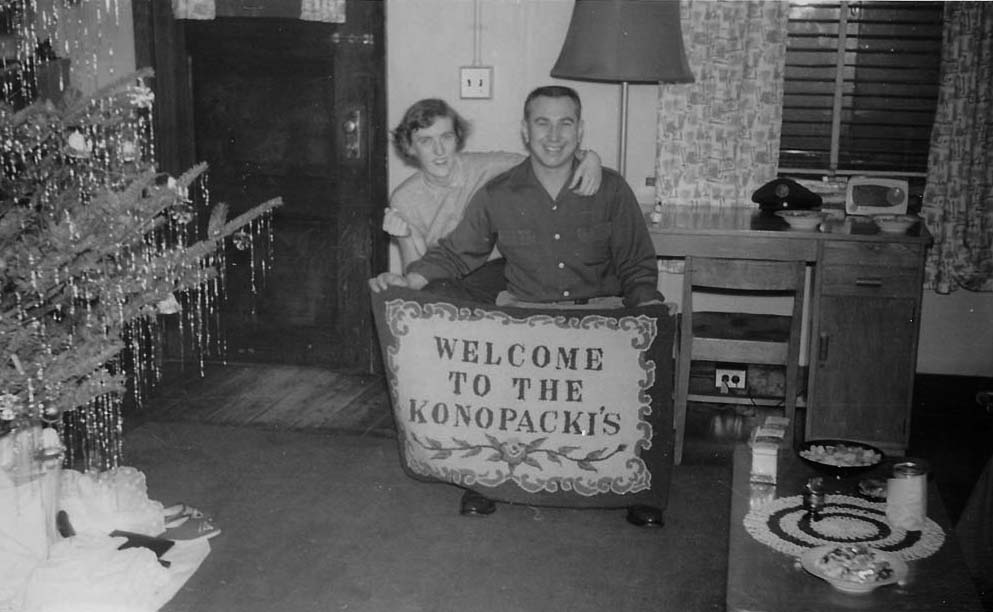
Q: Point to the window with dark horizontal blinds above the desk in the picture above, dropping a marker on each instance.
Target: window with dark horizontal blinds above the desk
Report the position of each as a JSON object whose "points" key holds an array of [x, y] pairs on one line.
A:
{"points": [[861, 87]]}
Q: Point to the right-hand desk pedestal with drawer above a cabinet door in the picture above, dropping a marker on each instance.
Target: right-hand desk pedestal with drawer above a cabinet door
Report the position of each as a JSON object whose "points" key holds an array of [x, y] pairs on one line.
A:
{"points": [[866, 314]]}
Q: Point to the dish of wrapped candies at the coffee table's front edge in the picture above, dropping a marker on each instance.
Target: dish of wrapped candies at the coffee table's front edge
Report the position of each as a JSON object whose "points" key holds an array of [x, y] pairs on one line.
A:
{"points": [[854, 569]]}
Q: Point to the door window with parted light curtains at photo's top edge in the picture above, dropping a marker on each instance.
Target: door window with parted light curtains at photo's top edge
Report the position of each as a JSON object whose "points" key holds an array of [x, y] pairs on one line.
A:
{"points": [[328, 11]]}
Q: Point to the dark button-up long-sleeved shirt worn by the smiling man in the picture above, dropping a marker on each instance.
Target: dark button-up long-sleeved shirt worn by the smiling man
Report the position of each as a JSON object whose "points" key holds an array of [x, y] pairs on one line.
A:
{"points": [[572, 247]]}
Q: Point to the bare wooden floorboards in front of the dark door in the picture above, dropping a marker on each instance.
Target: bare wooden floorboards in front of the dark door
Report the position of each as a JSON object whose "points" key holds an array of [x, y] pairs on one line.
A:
{"points": [[276, 396]]}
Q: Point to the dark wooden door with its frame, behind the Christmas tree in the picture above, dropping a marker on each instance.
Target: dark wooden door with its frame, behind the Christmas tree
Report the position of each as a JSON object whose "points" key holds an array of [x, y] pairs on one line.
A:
{"points": [[283, 107]]}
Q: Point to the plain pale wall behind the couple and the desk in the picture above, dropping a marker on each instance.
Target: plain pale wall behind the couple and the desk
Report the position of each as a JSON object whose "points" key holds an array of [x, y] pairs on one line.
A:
{"points": [[427, 42]]}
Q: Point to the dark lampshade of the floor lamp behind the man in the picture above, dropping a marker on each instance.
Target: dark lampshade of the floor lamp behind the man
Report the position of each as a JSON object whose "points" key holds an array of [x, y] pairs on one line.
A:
{"points": [[634, 41]]}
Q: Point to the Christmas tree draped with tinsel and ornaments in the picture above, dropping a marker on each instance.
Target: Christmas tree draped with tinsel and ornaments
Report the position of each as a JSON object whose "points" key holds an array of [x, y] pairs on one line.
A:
{"points": [[95, 244]]}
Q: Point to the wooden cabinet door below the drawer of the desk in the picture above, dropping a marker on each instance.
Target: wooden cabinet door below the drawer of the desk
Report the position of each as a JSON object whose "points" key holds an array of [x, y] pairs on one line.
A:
{"points": [[865, 364]]}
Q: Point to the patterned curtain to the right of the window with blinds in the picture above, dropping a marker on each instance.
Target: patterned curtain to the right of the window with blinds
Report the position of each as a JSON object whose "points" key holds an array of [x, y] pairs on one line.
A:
{"points": [[958, 199]]}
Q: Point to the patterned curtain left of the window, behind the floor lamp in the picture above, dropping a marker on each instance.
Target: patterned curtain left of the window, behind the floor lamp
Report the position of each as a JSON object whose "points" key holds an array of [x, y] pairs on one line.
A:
{"points": [[718, 138]]}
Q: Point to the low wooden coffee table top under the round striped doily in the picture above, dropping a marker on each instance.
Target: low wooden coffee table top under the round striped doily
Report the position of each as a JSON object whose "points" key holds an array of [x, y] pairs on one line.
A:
{"points": [[761, 579]]}
